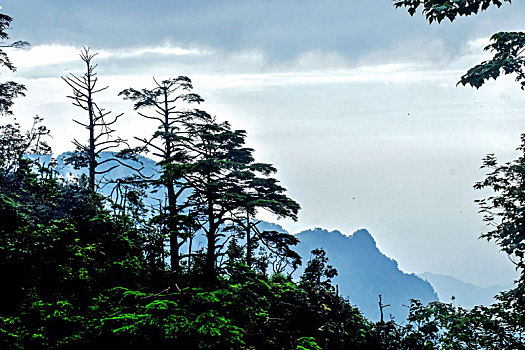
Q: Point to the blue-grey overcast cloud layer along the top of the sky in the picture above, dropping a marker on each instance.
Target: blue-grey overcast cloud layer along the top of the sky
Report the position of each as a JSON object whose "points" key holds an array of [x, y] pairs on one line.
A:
{"points": [[283, 29]]}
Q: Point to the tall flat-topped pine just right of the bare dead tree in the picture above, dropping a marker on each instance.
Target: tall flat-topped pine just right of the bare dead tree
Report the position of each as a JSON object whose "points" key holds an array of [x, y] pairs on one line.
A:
{"points": [[166, 102]]}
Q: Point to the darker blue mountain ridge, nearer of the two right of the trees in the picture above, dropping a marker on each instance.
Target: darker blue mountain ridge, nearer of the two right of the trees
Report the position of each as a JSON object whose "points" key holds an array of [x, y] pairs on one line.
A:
{"points": [[365, 272]]}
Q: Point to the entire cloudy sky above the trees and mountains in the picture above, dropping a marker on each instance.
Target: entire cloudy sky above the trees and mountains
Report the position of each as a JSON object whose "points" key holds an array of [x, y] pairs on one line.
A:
{"points": [[353, 101]]}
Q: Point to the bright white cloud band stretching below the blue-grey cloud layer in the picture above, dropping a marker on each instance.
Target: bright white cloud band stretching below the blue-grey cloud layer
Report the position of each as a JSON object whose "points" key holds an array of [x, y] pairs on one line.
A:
{"points": [[246, 68]]}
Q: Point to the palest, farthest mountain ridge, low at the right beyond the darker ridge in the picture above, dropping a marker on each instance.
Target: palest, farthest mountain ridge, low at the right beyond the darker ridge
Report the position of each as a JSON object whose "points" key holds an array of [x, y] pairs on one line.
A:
{"points": [[465, 294]]}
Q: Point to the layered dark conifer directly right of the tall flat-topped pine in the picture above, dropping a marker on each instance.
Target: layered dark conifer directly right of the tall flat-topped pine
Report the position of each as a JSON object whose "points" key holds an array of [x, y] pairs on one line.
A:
{"points": [[217, 154]]}
